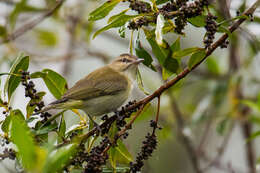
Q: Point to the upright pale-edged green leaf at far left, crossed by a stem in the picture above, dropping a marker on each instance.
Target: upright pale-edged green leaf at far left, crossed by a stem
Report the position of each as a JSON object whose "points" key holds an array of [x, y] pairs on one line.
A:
{"points": [[12, 81]]}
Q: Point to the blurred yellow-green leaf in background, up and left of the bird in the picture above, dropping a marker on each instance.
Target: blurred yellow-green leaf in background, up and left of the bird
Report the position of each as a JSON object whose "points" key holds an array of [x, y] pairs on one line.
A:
{"points": [[46, 37]]}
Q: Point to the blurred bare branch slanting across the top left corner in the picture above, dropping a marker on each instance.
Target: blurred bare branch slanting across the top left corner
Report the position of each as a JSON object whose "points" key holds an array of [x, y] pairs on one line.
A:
{"points": [[30, 25]]}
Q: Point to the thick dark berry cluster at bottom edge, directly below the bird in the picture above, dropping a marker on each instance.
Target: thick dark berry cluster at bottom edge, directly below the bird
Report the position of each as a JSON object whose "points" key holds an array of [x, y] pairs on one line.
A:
{"points": [[97, 157]]}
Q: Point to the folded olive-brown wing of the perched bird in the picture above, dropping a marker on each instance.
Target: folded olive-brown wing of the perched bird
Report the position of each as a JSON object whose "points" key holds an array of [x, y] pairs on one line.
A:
{"points": [[104, 81]]}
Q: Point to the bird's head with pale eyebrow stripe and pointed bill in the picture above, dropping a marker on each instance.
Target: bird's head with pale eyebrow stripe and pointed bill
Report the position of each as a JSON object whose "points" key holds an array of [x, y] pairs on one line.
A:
{"points": [[126, 63]]}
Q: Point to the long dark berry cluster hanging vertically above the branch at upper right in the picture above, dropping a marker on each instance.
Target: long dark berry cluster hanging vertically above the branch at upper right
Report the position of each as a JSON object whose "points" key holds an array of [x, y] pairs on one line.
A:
{"points": [[211, 28]]}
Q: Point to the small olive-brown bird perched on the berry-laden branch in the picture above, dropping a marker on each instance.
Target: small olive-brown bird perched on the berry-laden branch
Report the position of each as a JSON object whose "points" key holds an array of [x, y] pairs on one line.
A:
{"points": [[103, 90]]}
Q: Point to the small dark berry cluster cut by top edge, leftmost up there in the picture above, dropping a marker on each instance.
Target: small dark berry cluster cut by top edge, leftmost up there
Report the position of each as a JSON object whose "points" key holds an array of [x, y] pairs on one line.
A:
{"points": [[140, 6]]}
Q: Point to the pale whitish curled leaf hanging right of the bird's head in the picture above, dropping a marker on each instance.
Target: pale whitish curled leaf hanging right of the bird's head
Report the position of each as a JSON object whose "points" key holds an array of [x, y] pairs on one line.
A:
{"points": [[158, 30]]}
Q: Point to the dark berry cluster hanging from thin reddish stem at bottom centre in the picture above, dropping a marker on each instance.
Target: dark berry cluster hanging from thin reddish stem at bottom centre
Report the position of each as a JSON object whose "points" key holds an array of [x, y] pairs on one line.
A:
{"points": [[149, 145]]}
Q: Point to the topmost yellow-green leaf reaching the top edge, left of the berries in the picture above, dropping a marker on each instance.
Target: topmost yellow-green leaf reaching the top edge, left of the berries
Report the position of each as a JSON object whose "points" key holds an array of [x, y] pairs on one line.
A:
{"points": [[103, 10]]}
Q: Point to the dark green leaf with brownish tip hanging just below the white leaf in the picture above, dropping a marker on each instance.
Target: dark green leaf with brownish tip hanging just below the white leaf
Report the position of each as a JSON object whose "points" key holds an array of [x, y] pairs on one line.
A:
{"points": [[160, 53]]}
